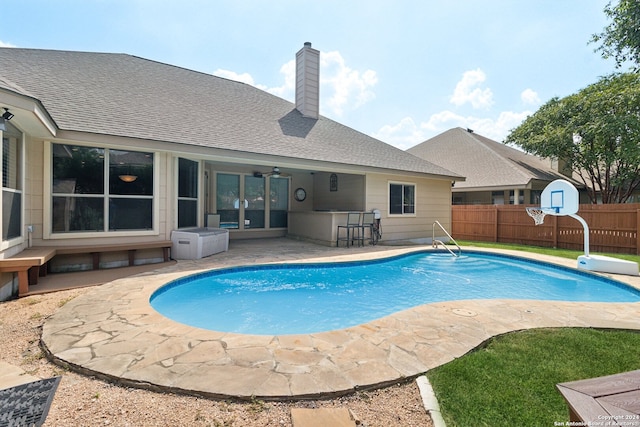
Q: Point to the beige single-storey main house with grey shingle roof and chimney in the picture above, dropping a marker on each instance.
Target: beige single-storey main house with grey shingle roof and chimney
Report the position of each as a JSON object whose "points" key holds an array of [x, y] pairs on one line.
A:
{"points": [[114, 149]]}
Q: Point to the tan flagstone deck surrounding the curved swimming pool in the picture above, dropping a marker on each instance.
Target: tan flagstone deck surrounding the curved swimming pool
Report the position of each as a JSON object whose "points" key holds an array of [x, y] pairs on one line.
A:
{"points": [[113, 333]]}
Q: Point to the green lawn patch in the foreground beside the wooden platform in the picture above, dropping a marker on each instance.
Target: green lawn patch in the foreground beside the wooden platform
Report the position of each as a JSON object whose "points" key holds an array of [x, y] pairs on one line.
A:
{"points": [[511, 380]]}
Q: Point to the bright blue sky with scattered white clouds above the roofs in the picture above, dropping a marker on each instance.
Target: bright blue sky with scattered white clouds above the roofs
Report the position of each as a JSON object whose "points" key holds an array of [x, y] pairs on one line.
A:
{"points": [[402, 71]]}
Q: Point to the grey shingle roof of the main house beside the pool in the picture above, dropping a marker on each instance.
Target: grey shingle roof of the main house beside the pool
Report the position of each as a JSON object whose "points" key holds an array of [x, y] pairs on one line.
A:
{"points": [[128, 96]]}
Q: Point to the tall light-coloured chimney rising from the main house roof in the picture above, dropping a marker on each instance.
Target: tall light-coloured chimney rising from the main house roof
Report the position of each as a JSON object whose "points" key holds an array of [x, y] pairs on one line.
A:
{"points": [[308, 81]]}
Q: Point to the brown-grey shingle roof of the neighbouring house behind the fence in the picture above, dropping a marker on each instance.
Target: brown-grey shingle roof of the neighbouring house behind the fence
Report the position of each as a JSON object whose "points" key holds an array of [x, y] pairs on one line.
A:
{"points": [[484, 162]]}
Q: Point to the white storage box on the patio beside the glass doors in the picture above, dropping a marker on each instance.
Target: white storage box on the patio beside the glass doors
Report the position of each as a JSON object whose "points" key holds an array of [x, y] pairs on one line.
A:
{"points": [[196, 243]]}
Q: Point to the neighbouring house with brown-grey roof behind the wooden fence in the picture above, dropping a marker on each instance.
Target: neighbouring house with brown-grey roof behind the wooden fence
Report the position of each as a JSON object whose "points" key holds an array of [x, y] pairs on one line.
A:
{"points": [[495, 173]]}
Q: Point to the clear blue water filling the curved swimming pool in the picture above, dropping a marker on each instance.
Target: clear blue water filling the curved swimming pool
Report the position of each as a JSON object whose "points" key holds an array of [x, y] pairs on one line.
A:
{"points": [[296, 299]]}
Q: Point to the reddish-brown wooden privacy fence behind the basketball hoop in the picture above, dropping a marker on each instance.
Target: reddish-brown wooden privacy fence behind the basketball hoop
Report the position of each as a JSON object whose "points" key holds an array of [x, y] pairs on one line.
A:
{"points": [[612, 228]]}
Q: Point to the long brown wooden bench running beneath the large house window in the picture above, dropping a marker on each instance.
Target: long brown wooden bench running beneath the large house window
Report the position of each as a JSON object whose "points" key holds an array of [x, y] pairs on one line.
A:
{"points": [[32, 262]]}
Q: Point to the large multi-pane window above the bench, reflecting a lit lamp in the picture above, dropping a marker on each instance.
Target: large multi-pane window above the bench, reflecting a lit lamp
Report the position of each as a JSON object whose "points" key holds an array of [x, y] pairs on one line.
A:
{"points": [[99, 189]]}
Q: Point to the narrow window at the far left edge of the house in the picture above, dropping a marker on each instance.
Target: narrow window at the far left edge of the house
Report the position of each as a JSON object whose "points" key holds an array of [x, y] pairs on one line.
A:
{"points": [[11, 183]]}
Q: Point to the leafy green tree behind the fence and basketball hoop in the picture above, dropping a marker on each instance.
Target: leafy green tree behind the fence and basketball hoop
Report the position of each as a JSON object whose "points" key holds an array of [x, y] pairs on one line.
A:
{"points": [[595, 132]]}
